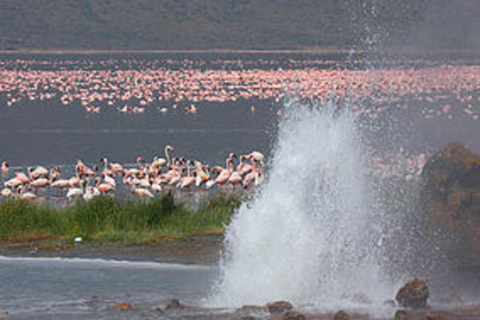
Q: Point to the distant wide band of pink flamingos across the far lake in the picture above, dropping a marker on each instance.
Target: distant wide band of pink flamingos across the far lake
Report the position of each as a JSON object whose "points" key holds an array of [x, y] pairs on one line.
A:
{"points": [[137, 87]]}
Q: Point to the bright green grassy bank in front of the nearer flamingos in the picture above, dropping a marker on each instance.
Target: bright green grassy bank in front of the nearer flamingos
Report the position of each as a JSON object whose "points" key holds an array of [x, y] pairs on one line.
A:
{"points": [[111, 220]]}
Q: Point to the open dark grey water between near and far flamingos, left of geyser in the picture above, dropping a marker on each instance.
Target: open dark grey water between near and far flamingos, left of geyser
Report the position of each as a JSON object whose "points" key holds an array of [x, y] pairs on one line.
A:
{"points": [[47, 134]]}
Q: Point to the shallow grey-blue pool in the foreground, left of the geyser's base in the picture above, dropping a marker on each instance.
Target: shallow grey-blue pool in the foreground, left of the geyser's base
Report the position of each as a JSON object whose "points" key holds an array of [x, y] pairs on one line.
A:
{"points": [[77, 288]]}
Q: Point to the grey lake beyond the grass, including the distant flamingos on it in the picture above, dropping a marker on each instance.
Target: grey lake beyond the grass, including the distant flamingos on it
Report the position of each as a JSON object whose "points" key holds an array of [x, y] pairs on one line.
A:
{"points": [[43, 131]]}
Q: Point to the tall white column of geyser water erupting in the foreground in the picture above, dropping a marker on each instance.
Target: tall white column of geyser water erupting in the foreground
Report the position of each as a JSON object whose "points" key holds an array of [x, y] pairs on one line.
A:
{"points": [[313, 234]]}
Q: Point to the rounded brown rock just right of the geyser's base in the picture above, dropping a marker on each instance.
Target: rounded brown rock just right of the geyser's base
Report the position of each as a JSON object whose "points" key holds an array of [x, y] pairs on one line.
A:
{"points": [[413, 295]]}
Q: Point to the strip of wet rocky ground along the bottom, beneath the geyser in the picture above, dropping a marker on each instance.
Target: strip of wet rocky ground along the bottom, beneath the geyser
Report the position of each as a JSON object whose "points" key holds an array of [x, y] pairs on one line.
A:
{"points": [[411, 304]]}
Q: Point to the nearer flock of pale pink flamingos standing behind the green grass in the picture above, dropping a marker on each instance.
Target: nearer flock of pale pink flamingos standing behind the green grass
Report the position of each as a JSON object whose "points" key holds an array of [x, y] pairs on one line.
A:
{"points": [[144, 181]]}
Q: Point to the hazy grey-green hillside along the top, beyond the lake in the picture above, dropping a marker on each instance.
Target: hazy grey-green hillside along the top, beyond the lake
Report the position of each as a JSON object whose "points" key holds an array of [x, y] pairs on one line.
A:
{"points": [[235, 24]]}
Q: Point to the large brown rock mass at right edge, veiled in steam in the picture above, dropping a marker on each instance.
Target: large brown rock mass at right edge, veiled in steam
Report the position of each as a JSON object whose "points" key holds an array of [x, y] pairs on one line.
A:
{"points": [[451, 202]]}
